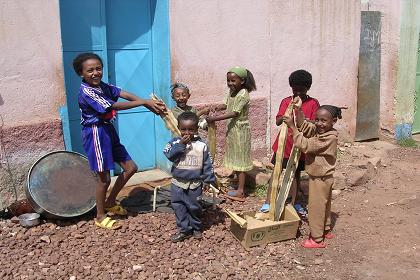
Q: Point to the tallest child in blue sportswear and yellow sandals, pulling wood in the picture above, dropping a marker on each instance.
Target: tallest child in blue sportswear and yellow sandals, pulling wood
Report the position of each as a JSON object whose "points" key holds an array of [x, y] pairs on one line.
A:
{"points": [[98, 103]]}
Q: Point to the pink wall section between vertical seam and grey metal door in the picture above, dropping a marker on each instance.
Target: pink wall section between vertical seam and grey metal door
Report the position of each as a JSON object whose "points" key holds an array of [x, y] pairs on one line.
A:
{"points": [[322, 37]]}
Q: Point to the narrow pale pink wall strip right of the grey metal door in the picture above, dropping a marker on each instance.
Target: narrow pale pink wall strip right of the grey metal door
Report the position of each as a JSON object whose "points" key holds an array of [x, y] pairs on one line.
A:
{"points": [[390, 39]]}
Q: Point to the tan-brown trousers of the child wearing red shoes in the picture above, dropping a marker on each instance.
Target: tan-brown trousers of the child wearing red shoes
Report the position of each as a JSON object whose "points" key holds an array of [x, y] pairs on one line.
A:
{"points": [[319, 206]]}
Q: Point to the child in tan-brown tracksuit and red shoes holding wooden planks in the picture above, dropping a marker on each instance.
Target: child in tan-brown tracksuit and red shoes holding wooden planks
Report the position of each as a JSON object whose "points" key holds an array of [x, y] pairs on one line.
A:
{"points": [[319, 142]]}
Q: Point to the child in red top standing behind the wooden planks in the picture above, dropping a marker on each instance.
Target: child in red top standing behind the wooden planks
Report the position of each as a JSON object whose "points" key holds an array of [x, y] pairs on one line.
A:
{"points": [[300, 81]]}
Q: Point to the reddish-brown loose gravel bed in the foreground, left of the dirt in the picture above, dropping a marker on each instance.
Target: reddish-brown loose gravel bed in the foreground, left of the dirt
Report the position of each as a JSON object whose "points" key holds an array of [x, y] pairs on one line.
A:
{"points": [[140, 250]]}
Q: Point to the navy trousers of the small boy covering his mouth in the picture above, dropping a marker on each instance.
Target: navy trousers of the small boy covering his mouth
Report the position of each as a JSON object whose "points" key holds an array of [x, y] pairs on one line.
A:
{"points": [[187, 208]]}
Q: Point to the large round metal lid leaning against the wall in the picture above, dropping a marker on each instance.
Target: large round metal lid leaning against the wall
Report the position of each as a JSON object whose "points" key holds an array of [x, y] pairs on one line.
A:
{"points": [[61, 184]]}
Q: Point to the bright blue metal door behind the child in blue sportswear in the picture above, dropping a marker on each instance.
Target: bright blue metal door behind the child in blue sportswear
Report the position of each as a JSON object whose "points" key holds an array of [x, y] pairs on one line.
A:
{"points": [[132, 38]]}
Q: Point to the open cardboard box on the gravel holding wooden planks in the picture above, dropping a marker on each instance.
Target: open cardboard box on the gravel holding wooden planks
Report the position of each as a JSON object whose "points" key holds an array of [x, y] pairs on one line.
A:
{"points": [[259, 232]]}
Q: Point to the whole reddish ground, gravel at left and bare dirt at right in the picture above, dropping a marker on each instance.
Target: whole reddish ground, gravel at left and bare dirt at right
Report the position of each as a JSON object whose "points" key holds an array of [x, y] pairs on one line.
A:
{"points": [[377, 235]]}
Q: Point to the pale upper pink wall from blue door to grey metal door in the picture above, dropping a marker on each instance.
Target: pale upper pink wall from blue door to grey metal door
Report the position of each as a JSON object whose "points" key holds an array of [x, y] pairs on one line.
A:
{"points": [[272, 39]]}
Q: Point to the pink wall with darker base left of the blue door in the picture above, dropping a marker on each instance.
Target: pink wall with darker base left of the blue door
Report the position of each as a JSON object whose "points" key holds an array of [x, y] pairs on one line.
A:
{"points": [[31, 89]]}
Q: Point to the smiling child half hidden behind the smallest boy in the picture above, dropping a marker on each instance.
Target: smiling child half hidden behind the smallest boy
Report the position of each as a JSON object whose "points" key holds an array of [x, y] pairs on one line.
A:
{"points": [[181, 94]]}
